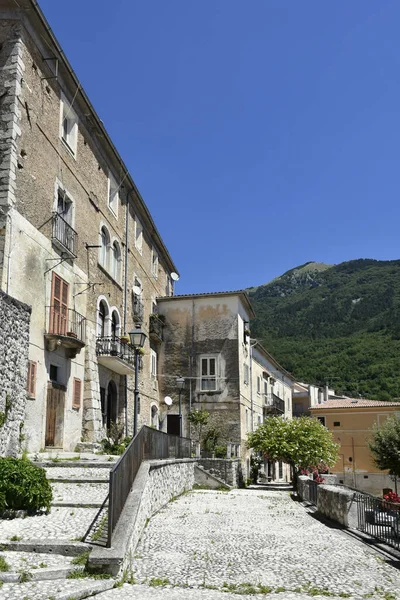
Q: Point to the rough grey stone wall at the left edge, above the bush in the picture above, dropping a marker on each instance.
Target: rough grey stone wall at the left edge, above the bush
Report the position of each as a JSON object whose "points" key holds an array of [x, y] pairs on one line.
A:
{"points": [[14, 343]]}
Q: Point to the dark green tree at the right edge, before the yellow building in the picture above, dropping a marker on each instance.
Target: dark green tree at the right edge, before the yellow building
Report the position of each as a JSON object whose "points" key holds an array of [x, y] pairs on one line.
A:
{"points": [[385, 446]]}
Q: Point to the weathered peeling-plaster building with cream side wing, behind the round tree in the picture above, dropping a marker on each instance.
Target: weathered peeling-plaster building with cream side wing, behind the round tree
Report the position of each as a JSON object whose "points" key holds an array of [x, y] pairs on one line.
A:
{"points": [[207, 342]]}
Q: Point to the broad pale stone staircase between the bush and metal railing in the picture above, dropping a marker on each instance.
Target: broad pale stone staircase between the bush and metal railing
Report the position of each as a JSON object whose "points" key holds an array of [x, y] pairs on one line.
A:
{"points": [[43, 556]]}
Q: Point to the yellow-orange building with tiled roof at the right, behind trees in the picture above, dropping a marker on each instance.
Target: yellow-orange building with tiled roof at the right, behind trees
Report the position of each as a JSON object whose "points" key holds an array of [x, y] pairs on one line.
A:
{"points": [[351, 421]]}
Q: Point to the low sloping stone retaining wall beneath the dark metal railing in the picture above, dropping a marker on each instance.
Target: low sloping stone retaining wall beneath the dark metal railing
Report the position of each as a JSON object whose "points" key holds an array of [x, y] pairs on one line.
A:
{"points": [[156, 483]]}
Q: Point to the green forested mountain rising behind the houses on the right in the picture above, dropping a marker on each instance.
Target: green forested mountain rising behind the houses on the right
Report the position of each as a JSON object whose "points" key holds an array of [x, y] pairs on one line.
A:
{"points": [[335, 323]]}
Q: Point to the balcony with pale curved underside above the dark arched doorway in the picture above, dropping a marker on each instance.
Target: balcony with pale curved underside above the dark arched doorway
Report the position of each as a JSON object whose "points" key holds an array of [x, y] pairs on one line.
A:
{"points": [[115, 354]]}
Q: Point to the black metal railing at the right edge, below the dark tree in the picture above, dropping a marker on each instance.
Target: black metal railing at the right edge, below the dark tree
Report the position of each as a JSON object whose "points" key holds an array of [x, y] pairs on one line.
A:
{"points": [[379, 518]]}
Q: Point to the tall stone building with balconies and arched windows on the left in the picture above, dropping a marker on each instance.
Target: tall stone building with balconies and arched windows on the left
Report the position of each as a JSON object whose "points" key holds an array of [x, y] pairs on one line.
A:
{"points": [[77, 243]]}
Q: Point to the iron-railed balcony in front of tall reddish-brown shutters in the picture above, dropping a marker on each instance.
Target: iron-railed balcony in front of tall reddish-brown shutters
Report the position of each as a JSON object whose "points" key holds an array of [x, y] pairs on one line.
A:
{"points": [[67, 328]]}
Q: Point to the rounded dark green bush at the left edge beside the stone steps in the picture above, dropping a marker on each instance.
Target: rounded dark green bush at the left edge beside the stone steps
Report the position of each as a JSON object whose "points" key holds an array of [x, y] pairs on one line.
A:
{"points": [[23, 486]]}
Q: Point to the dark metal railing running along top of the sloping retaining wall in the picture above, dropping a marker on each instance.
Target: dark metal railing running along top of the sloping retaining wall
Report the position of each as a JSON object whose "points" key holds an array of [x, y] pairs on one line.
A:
{"points": [[148, 444]]}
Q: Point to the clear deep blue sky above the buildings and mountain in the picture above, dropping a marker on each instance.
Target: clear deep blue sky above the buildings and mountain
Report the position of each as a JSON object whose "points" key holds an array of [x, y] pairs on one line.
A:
{"points": [[261, 134]]}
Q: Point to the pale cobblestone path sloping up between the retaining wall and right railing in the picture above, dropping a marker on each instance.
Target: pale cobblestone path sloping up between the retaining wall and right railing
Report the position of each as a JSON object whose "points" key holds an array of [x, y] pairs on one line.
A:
{"points": [[260, 544]]}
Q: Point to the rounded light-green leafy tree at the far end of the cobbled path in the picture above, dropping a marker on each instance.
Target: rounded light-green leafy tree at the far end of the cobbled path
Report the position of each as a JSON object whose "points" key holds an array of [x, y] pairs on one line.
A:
{"points": [[303, 443]]}
